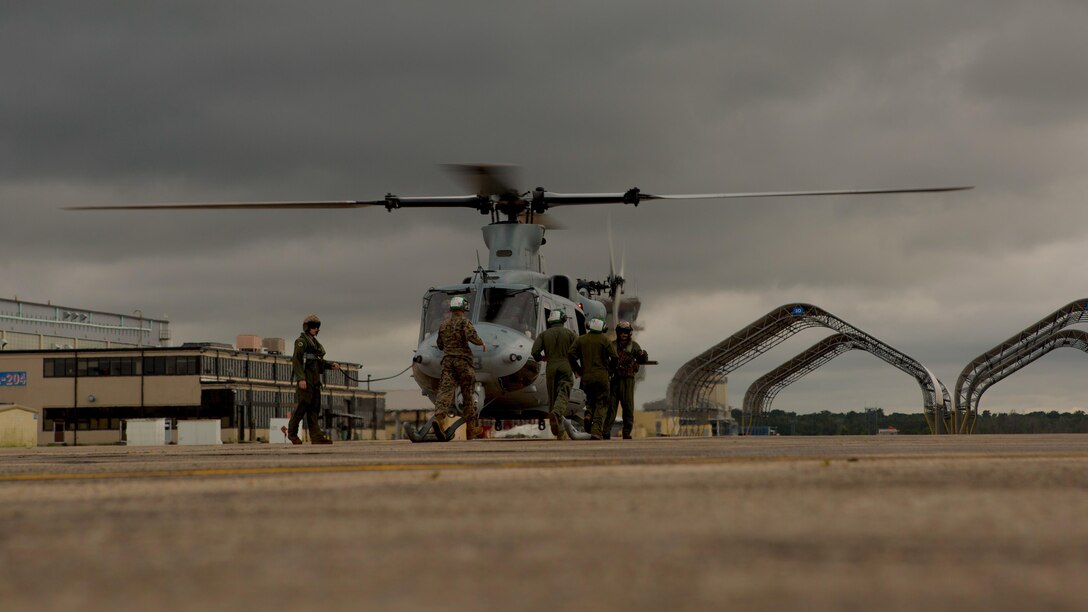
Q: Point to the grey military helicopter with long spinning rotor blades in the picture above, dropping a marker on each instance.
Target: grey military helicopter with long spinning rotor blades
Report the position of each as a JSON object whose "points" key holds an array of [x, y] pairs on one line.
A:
{"points": [[512, 298]]}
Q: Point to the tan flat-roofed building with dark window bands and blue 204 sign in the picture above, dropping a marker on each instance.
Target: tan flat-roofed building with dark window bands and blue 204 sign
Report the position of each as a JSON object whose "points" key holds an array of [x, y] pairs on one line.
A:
{"points": [[83, 396]]}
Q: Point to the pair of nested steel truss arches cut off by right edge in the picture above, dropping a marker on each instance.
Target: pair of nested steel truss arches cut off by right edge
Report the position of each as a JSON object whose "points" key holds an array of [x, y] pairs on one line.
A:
{"points": [[1012, 356]]}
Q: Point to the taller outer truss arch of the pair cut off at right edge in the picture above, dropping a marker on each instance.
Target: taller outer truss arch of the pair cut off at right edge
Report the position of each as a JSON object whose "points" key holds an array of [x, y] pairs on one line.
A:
{"points": [[1012, 349]]}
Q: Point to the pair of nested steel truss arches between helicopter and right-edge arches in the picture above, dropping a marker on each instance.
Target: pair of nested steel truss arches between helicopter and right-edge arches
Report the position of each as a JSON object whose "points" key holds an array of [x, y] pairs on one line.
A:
{"points": [[691, 387]]}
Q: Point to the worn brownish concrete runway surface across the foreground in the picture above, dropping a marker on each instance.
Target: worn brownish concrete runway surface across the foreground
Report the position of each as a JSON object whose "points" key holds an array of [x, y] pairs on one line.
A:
{"points": [[783, 523]]}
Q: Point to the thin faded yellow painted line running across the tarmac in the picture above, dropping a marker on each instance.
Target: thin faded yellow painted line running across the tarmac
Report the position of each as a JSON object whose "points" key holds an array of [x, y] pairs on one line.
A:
{"points": [[644, 462]]}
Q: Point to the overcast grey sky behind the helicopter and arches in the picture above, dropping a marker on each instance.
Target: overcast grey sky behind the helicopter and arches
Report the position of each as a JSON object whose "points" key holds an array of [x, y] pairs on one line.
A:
{"points": [[132, 103]]}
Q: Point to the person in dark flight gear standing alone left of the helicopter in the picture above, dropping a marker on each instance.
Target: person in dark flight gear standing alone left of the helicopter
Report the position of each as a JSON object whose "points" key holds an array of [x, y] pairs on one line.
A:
{"points": [[310, 364]]}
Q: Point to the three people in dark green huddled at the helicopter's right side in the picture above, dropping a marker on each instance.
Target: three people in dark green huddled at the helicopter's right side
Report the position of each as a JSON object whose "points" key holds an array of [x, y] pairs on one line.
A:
{"points": [[608, 370]]}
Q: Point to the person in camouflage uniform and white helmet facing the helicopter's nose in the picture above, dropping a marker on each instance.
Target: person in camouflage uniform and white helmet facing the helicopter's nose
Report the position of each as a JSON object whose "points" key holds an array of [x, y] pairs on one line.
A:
{"points": [[455, 335]]}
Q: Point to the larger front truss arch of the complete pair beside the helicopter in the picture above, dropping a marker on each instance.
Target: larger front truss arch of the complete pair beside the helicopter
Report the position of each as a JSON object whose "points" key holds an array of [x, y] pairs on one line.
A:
{"points": [[691, 387]]}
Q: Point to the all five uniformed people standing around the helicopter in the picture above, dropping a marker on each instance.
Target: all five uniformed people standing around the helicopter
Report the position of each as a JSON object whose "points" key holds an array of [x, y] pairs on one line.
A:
{"points": [[608, 370]]}
